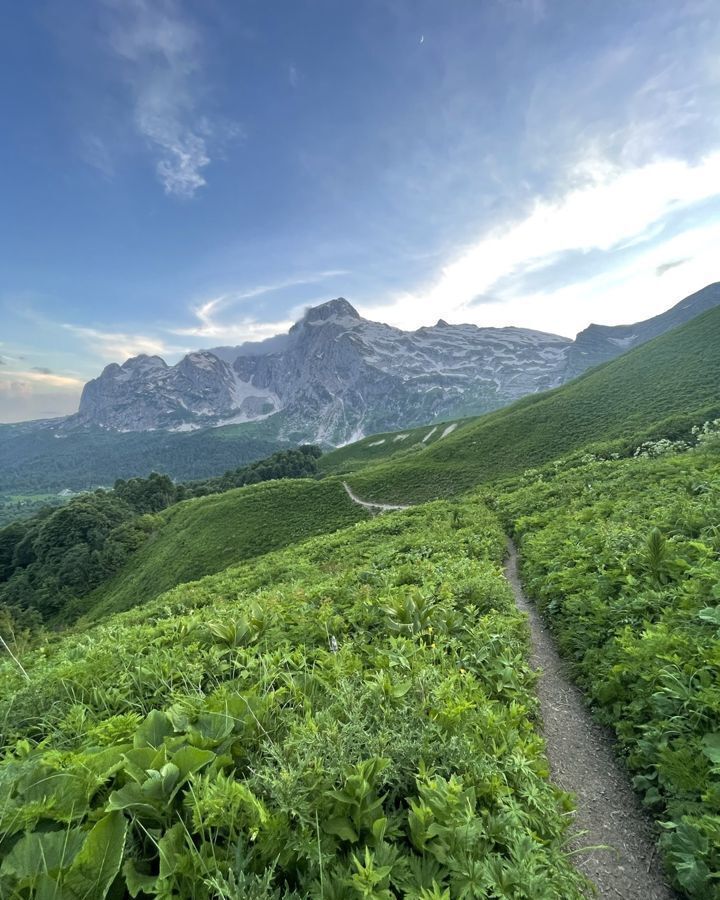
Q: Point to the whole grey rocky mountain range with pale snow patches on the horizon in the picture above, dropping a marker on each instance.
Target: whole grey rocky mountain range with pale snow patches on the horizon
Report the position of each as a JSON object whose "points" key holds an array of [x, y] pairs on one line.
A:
{"points": [[336, 376]]}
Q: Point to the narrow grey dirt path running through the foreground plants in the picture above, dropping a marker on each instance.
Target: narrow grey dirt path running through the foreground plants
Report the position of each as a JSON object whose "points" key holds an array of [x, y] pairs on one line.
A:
{"points": [[582, 763]]}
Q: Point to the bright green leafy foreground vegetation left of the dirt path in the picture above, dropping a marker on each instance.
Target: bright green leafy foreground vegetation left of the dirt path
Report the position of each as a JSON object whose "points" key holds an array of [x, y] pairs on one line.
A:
{"points": [[354, 717]]}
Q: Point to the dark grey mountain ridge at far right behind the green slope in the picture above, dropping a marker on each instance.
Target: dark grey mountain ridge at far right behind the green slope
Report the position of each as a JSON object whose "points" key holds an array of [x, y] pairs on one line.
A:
{"points": [[600, 343]]}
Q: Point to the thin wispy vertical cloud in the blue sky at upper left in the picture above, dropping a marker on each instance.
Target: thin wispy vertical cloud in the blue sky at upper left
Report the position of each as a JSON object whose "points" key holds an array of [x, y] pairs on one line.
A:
{"points": [[160, 50]]}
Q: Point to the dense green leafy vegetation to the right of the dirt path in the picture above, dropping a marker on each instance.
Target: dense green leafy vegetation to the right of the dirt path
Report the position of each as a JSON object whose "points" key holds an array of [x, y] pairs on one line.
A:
{"points": [[623, 558]]}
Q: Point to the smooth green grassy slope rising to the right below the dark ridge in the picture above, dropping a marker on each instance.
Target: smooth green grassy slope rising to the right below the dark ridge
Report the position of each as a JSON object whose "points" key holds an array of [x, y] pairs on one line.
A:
{"points": [[660, 388]]}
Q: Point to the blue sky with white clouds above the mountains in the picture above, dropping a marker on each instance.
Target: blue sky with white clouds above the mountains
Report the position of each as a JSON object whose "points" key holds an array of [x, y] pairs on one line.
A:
{"points": [[177, 175]]}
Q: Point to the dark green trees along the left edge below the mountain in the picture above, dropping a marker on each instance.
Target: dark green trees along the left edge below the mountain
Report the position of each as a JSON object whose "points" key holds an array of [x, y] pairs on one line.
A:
{"points": [[59, 554]]}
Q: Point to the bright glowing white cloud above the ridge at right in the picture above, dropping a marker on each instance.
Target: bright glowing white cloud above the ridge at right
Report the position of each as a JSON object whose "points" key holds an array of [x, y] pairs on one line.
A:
{"points": [[609, 209]]}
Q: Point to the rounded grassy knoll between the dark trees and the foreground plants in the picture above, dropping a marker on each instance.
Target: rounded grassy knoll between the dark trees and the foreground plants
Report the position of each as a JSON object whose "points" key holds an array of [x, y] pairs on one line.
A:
{"points": [[203, 536]]}
